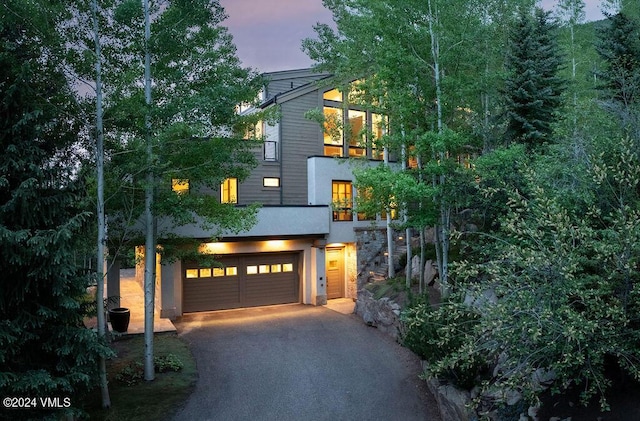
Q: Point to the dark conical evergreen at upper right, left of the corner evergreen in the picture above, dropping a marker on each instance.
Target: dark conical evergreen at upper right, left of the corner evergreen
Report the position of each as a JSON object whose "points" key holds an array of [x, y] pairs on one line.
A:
{"points": [[533, 89]]}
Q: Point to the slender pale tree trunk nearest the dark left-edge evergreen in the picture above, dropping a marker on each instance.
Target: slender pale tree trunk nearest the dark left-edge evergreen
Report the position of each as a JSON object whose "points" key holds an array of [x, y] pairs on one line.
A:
{"points": [[100, 266]]}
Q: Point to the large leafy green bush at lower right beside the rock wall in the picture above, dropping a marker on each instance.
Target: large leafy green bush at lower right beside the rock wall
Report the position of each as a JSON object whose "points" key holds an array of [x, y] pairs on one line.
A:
{"points": [[553, 294]]}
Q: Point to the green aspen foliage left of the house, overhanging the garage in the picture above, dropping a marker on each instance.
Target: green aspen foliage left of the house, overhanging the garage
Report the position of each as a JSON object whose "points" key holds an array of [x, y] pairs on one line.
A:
{"points": [[197, 134]]}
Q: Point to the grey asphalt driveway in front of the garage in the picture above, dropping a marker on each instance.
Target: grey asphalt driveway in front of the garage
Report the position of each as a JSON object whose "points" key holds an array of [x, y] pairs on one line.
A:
{"points": [[299, 363]]}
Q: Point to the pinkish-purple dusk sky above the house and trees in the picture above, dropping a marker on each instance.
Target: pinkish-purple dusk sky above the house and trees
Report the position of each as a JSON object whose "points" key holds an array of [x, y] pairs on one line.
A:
{"points": [[268, 33]]}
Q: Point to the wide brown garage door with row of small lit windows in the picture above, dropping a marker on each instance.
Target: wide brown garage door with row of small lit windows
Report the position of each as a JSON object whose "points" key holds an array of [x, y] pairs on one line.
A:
{"points": [[242, 281]]}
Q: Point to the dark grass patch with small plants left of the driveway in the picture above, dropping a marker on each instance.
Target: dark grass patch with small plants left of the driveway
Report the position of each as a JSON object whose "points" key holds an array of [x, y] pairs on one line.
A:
{"points": [[146, 400]]}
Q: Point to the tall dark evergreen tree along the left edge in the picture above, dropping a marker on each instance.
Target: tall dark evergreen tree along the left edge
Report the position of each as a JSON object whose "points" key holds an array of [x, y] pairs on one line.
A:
{"points": [[45, 350]]}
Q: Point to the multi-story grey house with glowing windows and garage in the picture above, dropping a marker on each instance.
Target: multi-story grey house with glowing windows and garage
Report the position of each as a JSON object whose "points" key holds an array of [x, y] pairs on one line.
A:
{"points": [[304, 248]]}
